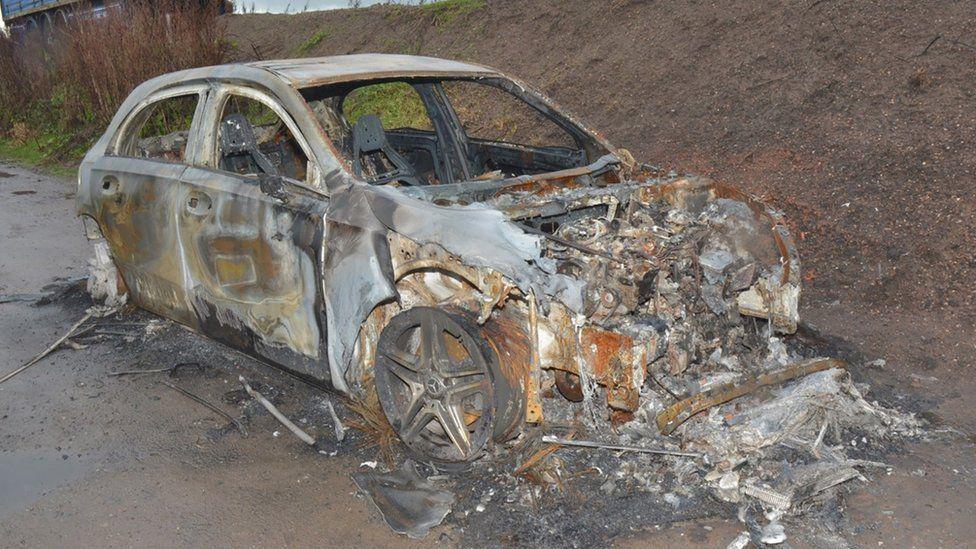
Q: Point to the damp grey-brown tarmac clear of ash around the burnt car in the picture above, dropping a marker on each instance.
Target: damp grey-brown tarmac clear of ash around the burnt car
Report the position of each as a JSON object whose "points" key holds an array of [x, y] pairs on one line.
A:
{"points": [[90, 460]]}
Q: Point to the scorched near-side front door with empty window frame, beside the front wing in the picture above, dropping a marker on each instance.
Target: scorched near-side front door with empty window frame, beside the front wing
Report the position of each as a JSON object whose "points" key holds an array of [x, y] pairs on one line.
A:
{"points": [[252, 236]]}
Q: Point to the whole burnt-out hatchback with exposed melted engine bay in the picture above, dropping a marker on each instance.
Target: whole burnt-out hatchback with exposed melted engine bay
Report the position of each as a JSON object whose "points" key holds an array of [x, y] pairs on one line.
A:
{"points": [[429, 229]]}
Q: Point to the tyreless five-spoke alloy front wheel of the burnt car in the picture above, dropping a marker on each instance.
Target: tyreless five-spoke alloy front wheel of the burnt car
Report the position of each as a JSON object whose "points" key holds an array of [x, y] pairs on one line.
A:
{"points": [[435, 380]]}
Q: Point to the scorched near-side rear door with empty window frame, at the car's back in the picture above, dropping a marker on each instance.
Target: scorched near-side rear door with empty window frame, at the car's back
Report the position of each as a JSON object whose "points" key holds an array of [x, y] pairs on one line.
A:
{"points": [[136, 197]]}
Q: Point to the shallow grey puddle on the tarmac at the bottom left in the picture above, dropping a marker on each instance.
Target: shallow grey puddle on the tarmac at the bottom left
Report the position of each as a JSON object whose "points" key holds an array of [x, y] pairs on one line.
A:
{"points": [[25, 476]]}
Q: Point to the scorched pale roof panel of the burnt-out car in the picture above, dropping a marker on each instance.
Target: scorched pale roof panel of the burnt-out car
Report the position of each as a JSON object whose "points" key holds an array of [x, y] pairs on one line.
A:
{"points": [[318, 71]]}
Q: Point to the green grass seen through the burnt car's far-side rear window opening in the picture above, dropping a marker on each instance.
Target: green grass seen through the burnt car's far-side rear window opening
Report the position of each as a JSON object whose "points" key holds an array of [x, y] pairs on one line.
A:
{"points": [[396, 104]]}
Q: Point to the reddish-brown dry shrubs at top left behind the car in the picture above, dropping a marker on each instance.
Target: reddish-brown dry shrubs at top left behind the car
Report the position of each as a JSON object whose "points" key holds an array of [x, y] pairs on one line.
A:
{"points": [[74, 76]]}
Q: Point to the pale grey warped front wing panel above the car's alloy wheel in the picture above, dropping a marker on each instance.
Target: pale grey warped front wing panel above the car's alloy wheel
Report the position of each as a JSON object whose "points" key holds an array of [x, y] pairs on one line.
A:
{"points": [[357, 276]]}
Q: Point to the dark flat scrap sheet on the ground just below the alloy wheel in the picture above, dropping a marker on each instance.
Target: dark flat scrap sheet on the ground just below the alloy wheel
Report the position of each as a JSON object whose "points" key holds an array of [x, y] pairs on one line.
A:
{"points": [[409, 504]]}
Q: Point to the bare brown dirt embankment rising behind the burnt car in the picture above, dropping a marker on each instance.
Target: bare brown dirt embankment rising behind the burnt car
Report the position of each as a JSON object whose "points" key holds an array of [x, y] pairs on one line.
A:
{"points": [[846, 115]]}
